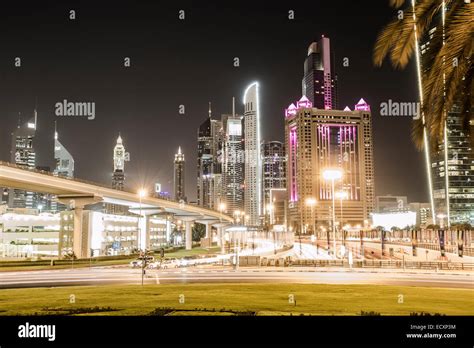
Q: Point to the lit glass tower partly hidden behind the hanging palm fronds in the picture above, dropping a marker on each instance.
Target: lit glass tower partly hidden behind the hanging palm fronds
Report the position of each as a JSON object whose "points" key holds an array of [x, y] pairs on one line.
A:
{"points": [[452, 160]]}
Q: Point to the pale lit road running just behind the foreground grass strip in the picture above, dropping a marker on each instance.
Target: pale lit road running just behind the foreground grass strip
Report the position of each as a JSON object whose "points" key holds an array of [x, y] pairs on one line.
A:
{"points": [[210, 274]]}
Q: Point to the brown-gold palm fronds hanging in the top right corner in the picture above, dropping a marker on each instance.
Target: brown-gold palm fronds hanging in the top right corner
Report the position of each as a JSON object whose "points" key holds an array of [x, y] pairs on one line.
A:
{"points": [[448, 68]]}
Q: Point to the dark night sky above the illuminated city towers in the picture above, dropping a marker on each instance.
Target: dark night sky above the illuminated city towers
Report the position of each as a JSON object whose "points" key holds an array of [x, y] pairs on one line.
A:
{"points": [[190, 62]]}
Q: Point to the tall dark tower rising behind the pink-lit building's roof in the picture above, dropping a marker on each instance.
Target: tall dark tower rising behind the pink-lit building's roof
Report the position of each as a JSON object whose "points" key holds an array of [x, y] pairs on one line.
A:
{"points": [[319, 81]]}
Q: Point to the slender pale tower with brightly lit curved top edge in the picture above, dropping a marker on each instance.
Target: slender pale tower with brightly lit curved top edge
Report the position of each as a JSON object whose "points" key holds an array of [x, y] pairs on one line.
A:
{"points": [[253, 164]]}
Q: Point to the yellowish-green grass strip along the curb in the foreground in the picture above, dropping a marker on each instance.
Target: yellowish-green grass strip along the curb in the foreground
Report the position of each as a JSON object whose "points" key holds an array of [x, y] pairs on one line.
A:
{"points": [[265, 299]]}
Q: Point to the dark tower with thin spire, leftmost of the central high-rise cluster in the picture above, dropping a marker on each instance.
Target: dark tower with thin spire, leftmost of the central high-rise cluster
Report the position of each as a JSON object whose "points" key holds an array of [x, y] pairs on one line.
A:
{"points": [[209, 166]]}
